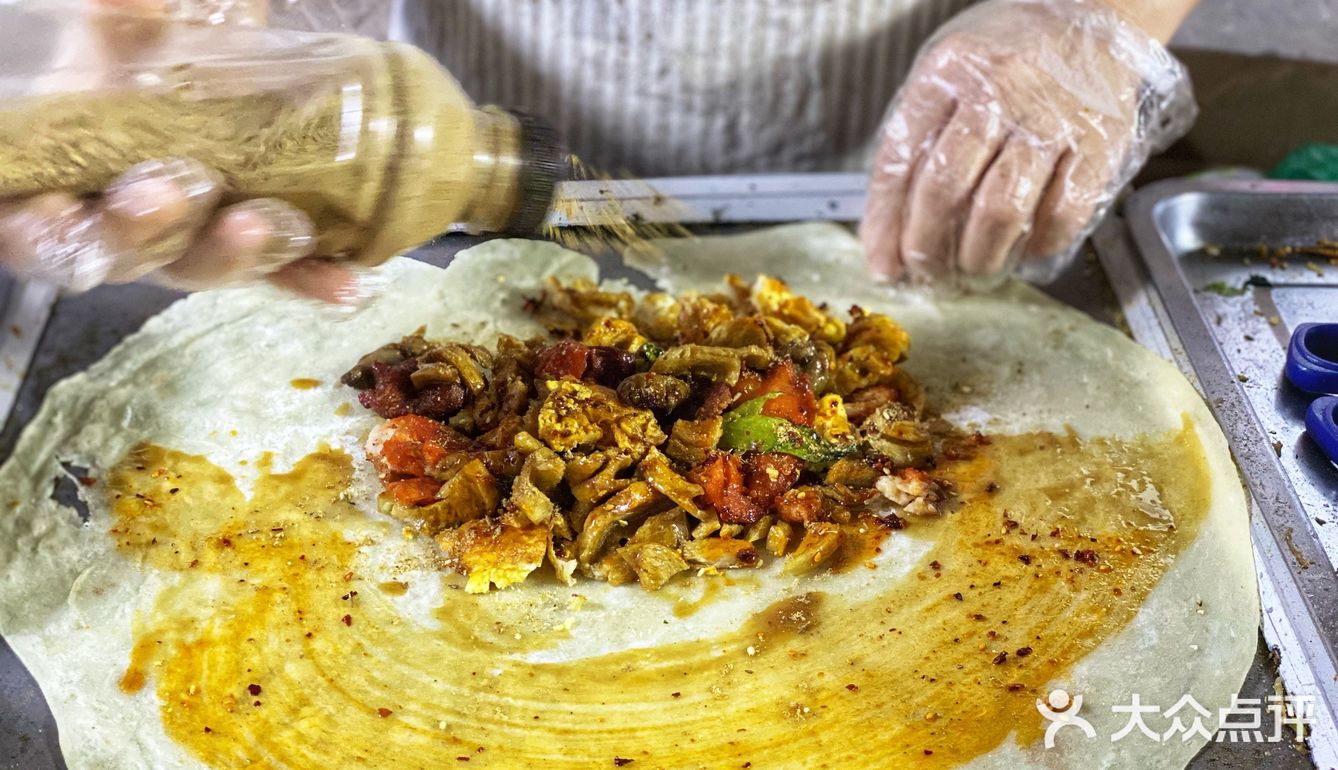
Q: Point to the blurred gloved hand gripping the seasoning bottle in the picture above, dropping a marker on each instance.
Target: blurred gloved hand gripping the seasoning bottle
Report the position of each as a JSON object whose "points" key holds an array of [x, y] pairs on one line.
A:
{"points": [[161, 220]]}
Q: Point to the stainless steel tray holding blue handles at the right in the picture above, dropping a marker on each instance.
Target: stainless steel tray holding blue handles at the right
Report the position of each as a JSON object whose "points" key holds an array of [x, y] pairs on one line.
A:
{"points": [[1201, 278]]}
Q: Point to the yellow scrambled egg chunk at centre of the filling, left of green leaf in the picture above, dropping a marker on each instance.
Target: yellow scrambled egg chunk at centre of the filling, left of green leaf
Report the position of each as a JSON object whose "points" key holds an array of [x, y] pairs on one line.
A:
{"points": [[577, 414]]}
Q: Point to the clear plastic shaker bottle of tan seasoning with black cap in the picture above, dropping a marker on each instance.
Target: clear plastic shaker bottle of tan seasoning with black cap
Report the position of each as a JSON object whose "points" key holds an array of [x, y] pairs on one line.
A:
{"points": [[374, 141]]}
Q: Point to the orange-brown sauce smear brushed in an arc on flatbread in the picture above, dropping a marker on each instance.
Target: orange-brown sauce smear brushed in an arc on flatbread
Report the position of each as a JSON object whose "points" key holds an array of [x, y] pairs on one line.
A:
{"points": [[271, 649]]}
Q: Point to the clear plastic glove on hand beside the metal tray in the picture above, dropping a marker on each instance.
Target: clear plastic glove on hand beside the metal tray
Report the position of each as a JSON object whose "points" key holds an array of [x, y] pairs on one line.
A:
{"points": [[1019, 125]]}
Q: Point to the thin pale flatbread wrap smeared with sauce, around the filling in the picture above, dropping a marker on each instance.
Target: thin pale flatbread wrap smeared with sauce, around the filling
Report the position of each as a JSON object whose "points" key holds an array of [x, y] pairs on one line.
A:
{"points": [[235, 598]]}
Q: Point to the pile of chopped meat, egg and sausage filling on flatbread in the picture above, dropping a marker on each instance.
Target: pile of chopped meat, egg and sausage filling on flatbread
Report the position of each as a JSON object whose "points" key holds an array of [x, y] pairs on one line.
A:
{"points": [[654, 437]]}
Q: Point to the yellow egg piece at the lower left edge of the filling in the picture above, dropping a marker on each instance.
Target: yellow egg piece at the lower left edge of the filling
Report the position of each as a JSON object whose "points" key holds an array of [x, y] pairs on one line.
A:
{"points": [[490, 554]]}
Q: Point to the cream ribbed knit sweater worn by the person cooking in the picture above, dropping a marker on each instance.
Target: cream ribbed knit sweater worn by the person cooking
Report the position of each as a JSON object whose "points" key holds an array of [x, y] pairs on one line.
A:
{"points": [[675, 86]]}
